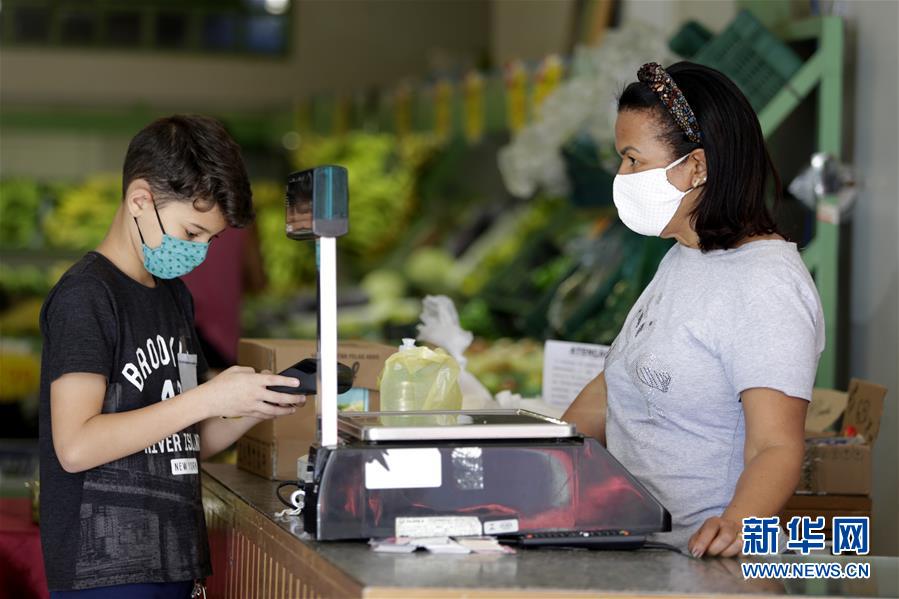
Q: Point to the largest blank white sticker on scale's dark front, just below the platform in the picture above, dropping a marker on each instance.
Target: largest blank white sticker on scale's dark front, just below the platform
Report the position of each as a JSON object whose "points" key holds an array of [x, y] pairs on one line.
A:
{"points": [[405, 469]]}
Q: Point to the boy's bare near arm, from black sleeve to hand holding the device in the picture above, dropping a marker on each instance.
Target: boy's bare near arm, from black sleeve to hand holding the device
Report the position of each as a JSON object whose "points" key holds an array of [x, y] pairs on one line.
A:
{"points": [[84, 438]]}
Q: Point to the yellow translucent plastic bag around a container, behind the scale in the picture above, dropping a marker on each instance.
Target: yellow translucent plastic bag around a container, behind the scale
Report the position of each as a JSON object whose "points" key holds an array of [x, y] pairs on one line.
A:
{"points": [[420, 378]]}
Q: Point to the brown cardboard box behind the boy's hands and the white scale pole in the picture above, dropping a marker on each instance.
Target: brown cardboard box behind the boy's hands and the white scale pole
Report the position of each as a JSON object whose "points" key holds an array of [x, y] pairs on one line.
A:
{"points": [[271, 448]]}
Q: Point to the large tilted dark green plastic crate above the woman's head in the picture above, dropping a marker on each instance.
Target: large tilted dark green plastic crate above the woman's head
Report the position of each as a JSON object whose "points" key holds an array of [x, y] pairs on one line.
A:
{"points": [[758, 62]]}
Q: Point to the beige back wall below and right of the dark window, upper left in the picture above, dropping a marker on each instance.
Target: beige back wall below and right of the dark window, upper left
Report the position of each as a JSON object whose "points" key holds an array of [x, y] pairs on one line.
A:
{"points": [[337, 46]]}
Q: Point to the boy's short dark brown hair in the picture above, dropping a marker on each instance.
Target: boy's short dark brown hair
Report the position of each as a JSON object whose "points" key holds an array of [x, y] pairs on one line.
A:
{"points": [[191, 158]]}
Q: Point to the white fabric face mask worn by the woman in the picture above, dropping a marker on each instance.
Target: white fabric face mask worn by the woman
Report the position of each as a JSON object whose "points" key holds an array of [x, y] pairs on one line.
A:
{"points": [[647, 200]]}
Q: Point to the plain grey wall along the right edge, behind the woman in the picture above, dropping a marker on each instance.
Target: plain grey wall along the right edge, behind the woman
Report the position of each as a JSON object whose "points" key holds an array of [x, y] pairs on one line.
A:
{"points": [[874, 316]]}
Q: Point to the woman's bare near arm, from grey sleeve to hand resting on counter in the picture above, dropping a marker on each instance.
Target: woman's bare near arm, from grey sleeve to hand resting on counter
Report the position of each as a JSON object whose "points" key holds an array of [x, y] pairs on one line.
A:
{"points": [[773, 453]]}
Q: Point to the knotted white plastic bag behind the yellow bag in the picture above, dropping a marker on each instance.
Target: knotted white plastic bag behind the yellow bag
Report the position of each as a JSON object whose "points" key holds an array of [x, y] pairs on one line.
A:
{"points": [[440, 326]]}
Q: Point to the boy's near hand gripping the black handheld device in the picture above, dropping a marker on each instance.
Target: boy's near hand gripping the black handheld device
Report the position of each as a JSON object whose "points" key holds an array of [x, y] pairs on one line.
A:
{"points": [[241, 391]]}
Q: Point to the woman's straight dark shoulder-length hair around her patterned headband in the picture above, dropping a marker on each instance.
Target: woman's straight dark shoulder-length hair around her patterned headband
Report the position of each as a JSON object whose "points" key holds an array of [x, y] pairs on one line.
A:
{"points": [[732, 204]]}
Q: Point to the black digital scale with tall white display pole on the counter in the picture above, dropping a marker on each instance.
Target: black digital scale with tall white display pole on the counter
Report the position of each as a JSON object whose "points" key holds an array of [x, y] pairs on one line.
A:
{"points": [[448, 473]]}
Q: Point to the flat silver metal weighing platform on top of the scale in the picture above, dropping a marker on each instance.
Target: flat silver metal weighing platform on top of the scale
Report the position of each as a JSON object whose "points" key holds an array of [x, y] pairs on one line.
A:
{"points": [[451, 426]]}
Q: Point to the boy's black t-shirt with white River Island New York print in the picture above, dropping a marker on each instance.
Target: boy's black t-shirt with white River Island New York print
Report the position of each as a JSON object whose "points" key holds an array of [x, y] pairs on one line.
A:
{"points": [[139, 518]]}
